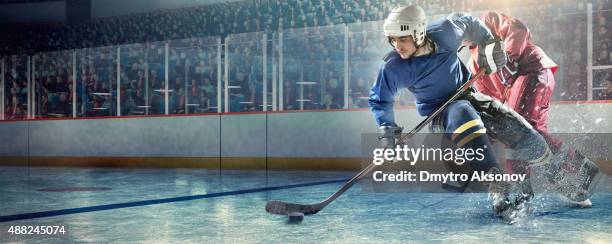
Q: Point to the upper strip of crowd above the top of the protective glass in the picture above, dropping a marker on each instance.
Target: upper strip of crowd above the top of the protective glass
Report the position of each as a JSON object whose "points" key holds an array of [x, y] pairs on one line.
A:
{"points": [[238, 17]]}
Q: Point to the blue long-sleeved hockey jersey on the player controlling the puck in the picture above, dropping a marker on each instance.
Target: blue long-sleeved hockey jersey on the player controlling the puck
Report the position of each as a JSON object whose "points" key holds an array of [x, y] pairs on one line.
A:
{"points": [[432, 78]]}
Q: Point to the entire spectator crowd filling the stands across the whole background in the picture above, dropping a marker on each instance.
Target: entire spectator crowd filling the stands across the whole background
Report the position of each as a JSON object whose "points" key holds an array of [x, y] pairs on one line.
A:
{"points": [[558, 26]]}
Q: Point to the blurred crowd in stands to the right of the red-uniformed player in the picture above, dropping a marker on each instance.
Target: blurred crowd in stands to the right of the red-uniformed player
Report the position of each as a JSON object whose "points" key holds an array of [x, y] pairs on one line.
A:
{"points": [[562, 33]]}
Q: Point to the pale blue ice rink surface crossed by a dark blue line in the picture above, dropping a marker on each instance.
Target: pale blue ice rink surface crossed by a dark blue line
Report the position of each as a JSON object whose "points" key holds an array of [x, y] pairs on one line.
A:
{"points": [[212, 206]]}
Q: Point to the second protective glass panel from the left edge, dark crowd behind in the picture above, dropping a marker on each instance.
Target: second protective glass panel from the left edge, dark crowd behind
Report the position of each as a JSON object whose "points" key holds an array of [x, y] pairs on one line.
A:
{"points": [[53, 81]]}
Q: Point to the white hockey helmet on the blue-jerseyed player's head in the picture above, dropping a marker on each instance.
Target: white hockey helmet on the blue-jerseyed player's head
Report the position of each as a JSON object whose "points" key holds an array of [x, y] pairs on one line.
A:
{"points": [[407, 21]]}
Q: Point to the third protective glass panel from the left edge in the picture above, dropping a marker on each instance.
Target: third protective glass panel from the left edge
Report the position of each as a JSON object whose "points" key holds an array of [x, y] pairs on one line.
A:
{"points": [[96, 70]]}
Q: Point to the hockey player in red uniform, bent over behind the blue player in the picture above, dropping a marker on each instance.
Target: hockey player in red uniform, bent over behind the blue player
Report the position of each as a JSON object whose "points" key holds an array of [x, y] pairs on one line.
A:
{"points": [[526, 84]]}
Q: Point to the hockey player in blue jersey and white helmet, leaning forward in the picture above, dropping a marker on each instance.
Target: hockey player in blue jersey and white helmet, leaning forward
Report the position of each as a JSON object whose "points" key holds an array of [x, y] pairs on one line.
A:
{"points": [[425, 61]]}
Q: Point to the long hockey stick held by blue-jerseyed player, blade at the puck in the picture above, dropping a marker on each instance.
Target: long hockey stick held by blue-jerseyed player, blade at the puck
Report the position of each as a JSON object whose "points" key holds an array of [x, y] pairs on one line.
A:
{"points": [[284, 208]]}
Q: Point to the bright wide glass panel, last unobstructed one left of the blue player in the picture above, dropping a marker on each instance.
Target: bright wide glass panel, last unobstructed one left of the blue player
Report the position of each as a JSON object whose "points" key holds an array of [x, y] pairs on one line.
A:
{"points": [[313, 68]]}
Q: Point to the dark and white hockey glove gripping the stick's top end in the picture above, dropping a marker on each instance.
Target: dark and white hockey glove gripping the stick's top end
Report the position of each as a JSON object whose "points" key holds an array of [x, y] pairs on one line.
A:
{"points": [[492, 55]]}
